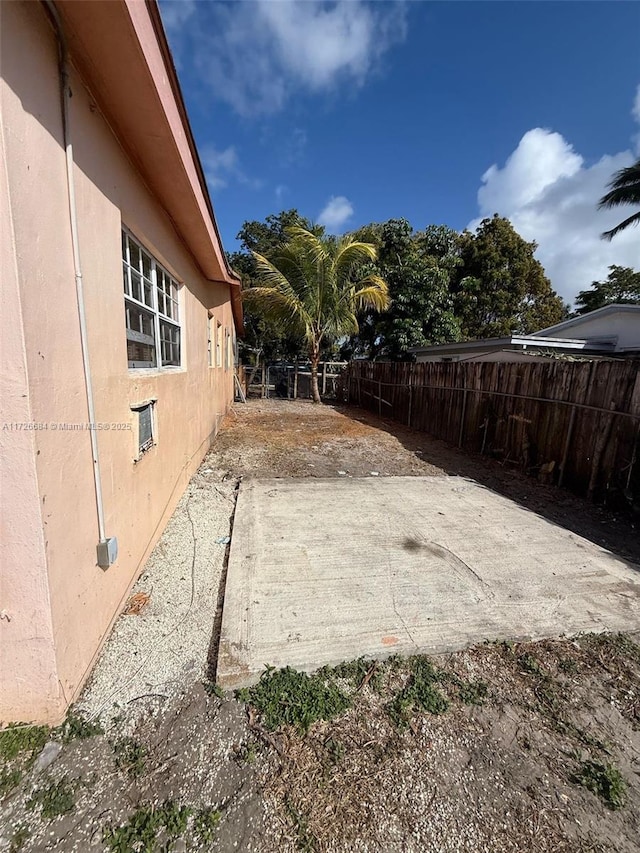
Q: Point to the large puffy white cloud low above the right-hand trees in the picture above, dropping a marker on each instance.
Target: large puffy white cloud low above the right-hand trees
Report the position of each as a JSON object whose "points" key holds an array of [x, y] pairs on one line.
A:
{"points": [[551, 195]]}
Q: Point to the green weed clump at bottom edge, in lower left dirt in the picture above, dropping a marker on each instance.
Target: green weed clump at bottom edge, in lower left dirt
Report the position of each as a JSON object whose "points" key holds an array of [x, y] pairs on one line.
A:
{"points": [[140, 832]]}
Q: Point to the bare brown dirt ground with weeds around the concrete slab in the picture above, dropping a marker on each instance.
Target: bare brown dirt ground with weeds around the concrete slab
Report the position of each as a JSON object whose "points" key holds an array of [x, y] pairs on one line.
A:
{"points": [[503, 748]]}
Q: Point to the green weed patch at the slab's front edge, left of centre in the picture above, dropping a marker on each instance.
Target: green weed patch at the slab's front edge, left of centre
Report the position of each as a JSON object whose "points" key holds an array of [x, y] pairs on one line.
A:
{"points": [[288, 697]]}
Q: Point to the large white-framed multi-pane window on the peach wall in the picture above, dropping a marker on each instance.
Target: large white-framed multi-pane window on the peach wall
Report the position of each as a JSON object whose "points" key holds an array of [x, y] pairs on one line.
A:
{"points": [[151, 308]]}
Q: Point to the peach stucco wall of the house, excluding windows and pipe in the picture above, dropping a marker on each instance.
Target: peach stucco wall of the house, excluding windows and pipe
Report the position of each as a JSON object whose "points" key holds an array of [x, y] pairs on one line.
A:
{"points": [[138, 496]]}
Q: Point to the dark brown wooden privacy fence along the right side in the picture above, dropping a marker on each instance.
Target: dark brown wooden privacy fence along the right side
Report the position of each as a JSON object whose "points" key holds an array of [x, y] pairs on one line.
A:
{"points": [[572, 423]]}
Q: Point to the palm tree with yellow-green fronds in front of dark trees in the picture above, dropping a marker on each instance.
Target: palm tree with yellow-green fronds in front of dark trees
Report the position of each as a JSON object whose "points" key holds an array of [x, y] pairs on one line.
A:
{"points": [[313, 286]]}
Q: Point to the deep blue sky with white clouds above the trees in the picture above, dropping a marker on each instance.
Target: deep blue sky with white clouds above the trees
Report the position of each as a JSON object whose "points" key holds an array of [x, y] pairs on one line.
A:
{"points": [[441, 112]]}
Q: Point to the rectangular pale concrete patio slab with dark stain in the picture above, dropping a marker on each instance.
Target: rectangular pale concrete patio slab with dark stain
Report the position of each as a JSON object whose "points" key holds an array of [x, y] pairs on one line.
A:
{"points": [[322, 571]]}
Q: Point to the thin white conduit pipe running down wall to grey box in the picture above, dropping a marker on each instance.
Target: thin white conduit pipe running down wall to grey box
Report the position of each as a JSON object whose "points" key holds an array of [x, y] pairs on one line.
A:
{"points": [[107, 547]]}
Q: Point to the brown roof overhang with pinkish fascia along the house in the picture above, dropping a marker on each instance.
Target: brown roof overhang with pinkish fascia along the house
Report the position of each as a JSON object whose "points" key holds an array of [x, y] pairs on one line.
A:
{"points": [[120, 49]]}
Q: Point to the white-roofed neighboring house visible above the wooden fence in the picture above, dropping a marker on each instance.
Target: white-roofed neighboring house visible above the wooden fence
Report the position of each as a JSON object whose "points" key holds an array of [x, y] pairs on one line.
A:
{"points": [[612, 331]]}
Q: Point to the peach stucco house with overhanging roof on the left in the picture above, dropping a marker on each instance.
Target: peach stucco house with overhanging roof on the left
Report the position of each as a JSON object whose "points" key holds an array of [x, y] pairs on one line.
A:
{"points": [[114, 382]]}
